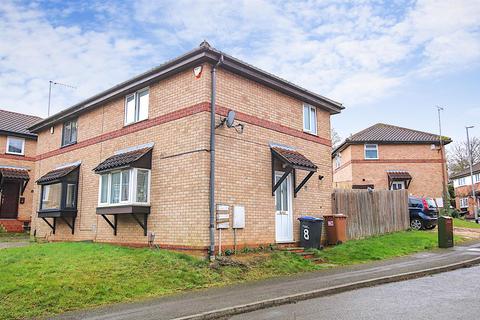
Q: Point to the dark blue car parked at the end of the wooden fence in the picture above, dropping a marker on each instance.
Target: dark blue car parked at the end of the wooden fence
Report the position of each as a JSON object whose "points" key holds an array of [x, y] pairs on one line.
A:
{"points": [[423, 212]]}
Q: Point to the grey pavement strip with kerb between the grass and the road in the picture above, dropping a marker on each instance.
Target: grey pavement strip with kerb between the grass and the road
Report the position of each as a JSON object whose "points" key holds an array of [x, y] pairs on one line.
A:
{"points": [[201, 303]]}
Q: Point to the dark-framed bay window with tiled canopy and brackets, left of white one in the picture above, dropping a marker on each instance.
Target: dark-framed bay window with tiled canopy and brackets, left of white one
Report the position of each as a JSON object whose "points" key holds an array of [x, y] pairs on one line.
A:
{"points": [[58, 196]]}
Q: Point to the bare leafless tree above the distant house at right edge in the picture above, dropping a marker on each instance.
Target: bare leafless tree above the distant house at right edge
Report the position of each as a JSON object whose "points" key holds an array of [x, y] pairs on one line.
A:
{"points": [[458, 158]]}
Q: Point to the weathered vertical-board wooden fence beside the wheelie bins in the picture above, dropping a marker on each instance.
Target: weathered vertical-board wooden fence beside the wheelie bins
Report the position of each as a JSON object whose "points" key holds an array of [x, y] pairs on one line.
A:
{"points": [[372, 212]]}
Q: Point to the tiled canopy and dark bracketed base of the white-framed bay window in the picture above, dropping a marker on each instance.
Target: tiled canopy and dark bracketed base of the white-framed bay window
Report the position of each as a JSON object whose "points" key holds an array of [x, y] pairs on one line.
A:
{"points": [[136, 157]]}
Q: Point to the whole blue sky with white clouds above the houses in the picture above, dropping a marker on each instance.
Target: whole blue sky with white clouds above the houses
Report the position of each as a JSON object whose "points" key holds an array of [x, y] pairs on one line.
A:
{"points": [[389, 61]]}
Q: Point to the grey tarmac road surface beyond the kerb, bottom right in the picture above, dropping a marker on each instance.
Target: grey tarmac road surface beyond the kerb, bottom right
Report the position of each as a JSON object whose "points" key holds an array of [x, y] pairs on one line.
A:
{"points": [[451, 295]]}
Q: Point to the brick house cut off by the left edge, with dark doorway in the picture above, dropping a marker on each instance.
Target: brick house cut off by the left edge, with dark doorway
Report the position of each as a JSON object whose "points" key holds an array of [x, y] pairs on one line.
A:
{"points": [[17, 169]]}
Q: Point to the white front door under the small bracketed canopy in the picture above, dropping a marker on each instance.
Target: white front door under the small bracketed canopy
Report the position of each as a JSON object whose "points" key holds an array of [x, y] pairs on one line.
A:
{"points": [[283, 210]]}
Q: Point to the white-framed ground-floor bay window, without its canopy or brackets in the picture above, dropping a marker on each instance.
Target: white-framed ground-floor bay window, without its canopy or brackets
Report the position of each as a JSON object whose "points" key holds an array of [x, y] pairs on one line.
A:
{"points": [[132, 188]]}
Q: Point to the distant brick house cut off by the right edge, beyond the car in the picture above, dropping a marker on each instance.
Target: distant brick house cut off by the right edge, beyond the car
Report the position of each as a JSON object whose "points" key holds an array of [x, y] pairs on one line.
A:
{"points": [[462, 183]]}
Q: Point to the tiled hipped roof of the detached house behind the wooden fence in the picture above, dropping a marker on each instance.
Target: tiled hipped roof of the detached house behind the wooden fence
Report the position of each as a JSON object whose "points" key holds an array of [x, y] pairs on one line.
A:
{"points": [[382, 133]]}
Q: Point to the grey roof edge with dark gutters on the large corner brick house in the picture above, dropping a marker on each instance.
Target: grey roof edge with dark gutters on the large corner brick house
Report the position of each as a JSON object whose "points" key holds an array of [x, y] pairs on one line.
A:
{"points": [[204, 53]]}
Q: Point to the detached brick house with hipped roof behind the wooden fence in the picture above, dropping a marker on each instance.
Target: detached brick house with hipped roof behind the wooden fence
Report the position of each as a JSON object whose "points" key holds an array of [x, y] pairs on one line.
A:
{"points": [[390, 157]]}
